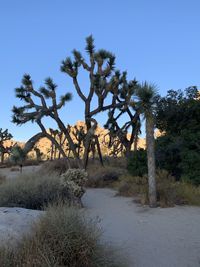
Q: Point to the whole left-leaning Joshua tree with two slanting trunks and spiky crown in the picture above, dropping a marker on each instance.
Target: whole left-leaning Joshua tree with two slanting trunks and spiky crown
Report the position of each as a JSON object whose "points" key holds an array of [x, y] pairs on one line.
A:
{"points": [[39, 104]]}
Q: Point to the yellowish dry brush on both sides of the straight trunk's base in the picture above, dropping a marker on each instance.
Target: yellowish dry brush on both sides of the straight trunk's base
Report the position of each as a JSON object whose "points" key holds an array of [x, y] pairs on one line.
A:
{"points": [[169, 192]]}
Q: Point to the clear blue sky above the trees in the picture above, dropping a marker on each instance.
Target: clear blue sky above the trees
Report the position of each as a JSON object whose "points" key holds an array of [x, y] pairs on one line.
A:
{"points": [[157, 41]]}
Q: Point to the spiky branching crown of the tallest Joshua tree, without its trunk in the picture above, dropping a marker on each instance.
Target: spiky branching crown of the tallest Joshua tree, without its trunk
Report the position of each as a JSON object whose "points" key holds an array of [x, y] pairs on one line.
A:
{"points": [[104, 79]]}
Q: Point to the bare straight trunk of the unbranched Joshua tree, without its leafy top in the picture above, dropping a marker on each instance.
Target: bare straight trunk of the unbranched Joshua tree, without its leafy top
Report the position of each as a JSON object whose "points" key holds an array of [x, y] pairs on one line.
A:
{"points": [[151, 160]]}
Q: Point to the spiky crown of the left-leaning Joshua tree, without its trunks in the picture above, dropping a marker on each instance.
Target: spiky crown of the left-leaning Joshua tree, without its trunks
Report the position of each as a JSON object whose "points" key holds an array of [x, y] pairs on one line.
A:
{"points": [[37, 103]]}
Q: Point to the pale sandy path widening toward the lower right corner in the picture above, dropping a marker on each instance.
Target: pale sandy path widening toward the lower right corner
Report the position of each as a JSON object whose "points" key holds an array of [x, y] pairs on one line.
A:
{"points": [[148, 237]]}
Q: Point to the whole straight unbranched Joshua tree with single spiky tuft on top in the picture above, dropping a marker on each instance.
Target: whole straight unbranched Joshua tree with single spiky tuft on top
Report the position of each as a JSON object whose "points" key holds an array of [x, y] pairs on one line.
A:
{"points": [[146, 94]]}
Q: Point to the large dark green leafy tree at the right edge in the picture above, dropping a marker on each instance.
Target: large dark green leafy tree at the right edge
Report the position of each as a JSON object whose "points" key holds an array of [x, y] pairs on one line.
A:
{"points": [[178, 150]]}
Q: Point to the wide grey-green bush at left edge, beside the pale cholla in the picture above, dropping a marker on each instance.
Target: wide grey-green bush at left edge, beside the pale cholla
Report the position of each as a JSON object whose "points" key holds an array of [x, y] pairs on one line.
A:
{"points": [[32, 191]]}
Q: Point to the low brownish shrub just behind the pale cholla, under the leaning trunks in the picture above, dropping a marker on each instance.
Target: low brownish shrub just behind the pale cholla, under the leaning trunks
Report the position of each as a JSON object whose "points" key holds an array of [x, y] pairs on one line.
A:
{"points": [[58, 166]]}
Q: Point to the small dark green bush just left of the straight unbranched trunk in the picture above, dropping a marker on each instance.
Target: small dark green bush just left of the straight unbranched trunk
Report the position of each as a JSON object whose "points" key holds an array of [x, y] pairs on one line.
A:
{"points": [[137, 163]]}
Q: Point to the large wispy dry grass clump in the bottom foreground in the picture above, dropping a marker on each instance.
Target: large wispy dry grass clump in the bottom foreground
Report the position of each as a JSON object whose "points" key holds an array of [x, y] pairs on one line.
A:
{"points": [[62, 237]]}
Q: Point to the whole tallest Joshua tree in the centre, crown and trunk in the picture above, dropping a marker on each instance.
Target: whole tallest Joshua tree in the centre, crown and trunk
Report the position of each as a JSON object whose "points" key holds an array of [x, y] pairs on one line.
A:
{"points": [[104, 81]]}
